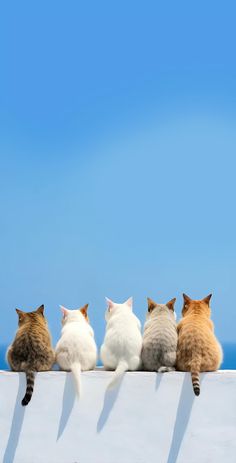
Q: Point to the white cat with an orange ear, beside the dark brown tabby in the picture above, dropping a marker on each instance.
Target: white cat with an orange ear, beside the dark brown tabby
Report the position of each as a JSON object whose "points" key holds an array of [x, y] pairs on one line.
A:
{"points": [[76, 350]]}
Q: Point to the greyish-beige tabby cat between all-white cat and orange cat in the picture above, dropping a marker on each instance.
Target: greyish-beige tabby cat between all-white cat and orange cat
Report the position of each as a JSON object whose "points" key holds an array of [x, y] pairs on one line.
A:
{"points": [[160, 337]]}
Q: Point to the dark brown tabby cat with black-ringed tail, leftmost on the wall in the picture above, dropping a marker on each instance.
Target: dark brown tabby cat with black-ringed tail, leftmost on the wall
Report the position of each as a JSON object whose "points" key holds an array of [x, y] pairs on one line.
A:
{"points": [[31, 350]]}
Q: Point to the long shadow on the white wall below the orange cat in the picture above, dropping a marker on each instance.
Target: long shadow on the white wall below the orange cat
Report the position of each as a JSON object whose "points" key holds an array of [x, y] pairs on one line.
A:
{"points": [[183, 414]]}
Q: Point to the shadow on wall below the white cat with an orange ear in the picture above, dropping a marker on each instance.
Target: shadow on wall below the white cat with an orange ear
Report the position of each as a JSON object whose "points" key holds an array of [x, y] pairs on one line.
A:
{"points": [[67, 404]]}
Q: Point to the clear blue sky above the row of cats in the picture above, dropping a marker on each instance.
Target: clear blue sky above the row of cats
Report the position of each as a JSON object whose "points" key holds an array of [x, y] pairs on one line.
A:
{"points": [[118, 148]]}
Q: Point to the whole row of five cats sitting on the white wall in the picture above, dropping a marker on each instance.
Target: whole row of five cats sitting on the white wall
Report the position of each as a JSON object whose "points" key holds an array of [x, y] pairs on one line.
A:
{"points": [[165, 345]]}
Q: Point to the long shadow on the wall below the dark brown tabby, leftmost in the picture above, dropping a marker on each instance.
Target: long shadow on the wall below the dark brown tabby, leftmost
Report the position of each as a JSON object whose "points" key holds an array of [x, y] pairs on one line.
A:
{"points": [[17, 421]]}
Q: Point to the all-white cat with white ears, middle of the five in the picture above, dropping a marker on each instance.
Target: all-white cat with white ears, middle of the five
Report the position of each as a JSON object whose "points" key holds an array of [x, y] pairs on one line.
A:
{"points": [[121, 349]]}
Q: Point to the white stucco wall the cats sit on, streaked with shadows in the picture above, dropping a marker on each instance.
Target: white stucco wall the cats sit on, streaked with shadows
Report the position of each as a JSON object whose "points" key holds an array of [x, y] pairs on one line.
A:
{"points": [[150, 418]]}
